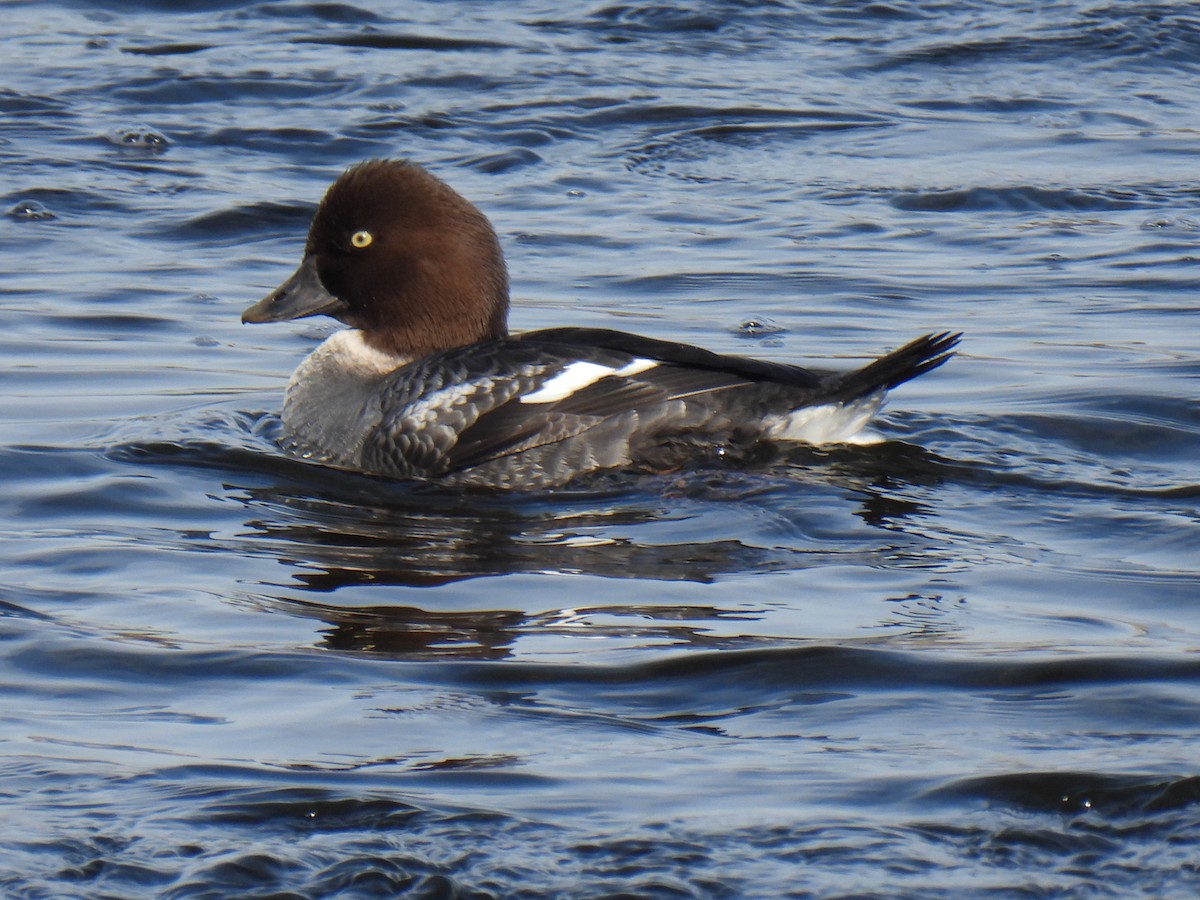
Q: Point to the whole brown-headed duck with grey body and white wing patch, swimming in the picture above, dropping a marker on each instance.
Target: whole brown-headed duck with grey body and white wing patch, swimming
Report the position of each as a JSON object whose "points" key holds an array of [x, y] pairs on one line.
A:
{"points": [[429, 383]]}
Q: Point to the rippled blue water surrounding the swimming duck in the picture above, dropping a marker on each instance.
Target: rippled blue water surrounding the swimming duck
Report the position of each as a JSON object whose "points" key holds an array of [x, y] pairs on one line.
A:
{"points": [[959, 663]]}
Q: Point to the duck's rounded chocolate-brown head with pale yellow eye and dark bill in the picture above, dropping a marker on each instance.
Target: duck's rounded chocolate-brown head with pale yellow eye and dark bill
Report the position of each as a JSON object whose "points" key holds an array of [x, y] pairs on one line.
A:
{"points": [[400, 255]]}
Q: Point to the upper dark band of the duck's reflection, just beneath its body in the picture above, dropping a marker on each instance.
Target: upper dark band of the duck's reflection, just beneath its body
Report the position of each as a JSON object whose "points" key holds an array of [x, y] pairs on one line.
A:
{"points": [[418, 538]]}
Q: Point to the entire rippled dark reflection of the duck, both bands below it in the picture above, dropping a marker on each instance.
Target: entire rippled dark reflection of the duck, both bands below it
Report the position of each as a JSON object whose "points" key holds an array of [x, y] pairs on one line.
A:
{"points": [[339, 532]]}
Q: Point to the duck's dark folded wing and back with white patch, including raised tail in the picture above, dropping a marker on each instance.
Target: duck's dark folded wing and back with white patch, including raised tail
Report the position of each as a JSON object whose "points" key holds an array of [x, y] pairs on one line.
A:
{"points": [[467, 406]]}
